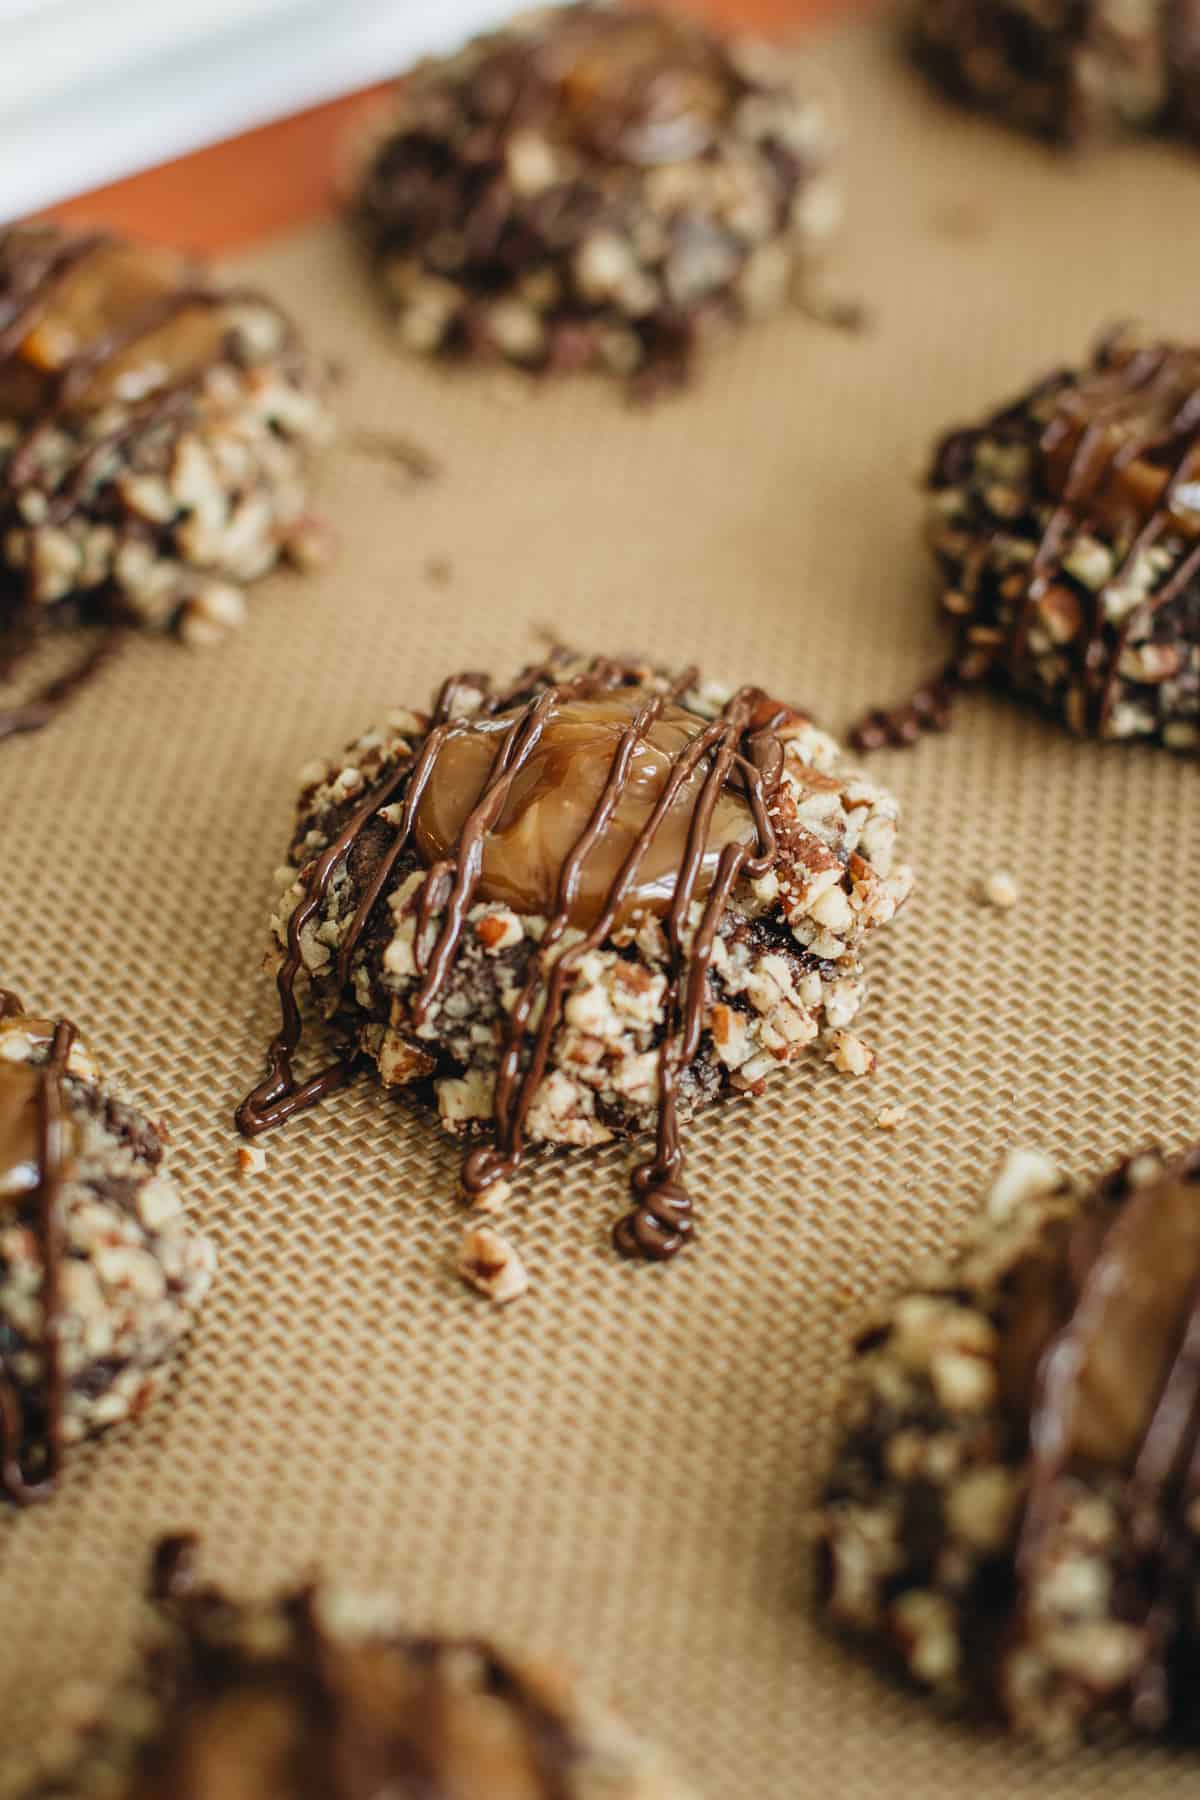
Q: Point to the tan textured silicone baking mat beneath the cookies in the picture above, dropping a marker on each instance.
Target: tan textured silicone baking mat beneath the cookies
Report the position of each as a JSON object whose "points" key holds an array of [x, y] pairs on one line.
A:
{"points": [[620, 1464]]}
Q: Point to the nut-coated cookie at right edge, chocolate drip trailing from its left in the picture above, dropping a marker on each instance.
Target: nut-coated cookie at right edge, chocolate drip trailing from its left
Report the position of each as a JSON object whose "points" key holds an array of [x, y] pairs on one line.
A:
{"points": [[1068, 541]]}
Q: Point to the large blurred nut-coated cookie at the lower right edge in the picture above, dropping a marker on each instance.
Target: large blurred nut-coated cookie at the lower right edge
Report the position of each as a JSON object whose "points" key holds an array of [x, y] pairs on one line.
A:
{"points": [[1014, 1515]]}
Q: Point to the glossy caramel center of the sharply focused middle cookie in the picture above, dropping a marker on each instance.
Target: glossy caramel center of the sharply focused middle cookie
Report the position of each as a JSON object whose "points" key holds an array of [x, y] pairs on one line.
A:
{"points": [[553, 800]]}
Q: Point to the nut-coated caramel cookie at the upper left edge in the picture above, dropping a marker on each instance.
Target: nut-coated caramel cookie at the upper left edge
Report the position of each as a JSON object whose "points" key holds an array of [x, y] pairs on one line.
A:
{"points": [[154, 442]]}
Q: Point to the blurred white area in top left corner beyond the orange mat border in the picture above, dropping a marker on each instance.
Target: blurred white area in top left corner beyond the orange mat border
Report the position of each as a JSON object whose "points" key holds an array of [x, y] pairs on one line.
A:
{"points": [[96, 89]]}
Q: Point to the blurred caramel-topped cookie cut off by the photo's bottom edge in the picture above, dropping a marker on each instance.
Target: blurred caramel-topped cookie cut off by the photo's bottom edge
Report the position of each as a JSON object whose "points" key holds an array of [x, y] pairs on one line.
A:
{"points": [[321, 1693]]}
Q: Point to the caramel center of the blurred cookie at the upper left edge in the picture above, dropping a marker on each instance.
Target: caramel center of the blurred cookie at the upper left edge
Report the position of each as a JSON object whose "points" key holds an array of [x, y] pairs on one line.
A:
{"points": [[100, 300]]}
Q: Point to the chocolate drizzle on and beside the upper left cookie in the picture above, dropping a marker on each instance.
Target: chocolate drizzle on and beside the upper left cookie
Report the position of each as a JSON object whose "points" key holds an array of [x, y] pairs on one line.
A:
{"points": [[35, 267]]}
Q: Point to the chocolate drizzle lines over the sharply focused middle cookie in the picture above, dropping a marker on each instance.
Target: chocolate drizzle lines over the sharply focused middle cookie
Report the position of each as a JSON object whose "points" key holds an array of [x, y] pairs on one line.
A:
{"points": [[739, 751]]}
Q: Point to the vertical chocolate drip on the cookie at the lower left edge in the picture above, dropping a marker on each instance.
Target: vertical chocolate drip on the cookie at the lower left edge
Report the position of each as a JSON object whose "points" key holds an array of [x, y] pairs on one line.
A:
{"points": [[44, 1196]]}
